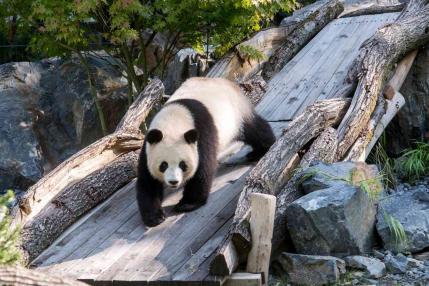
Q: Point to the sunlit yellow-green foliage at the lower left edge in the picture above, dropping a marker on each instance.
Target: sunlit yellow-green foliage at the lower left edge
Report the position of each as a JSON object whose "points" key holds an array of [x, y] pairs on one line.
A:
{"points": [[9, 253]]}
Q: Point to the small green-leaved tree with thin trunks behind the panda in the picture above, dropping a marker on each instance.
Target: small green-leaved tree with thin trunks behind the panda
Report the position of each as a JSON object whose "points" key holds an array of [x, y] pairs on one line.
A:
{"points": [[126, 29]]}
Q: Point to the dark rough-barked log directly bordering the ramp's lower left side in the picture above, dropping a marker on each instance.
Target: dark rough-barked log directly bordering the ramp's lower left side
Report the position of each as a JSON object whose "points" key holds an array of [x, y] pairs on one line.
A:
{"points": [[74, 201]]}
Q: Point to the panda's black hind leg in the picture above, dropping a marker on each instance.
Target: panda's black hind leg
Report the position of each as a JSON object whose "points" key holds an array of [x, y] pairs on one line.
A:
{"points": [[257, 133]]}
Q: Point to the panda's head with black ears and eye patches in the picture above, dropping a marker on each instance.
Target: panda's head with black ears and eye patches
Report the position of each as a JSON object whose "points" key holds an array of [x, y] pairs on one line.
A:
{"points": [[172, 160]]}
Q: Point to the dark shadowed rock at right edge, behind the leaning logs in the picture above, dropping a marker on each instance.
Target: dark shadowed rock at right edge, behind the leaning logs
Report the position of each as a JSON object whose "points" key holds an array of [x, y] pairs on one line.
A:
{"points": [[412, 121]]}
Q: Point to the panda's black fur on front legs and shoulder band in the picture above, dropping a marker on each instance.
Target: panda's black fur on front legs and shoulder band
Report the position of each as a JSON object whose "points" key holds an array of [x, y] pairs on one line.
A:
{"points": [[196, 190]]}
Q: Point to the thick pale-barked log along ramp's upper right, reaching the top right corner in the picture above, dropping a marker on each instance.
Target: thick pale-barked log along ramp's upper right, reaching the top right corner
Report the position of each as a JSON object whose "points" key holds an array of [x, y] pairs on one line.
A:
{"points": [[376, 60]]}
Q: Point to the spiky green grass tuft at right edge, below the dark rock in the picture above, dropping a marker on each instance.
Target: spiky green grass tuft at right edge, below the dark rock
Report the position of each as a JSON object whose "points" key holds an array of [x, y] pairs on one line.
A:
{"points": [[414, 163]]}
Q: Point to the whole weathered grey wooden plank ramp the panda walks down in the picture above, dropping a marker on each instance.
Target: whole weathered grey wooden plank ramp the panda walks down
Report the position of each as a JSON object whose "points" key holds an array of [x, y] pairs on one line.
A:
{"points": [[110, 245]]}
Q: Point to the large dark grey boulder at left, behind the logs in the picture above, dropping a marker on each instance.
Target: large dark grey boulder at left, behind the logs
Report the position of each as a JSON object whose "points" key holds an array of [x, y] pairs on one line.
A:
{"points": [[48, 114]]}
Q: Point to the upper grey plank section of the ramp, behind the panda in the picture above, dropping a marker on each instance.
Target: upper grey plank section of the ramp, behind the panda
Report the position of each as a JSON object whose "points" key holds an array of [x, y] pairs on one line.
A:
{"points": [[319, 69]]}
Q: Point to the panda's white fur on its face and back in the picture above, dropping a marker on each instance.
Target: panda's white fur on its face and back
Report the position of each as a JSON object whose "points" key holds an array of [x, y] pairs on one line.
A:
{"points": [[227, 106]]}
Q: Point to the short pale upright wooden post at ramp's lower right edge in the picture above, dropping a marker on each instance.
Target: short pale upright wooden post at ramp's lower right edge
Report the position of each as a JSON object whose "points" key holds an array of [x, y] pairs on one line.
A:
{"points": [[262, 208]]}
